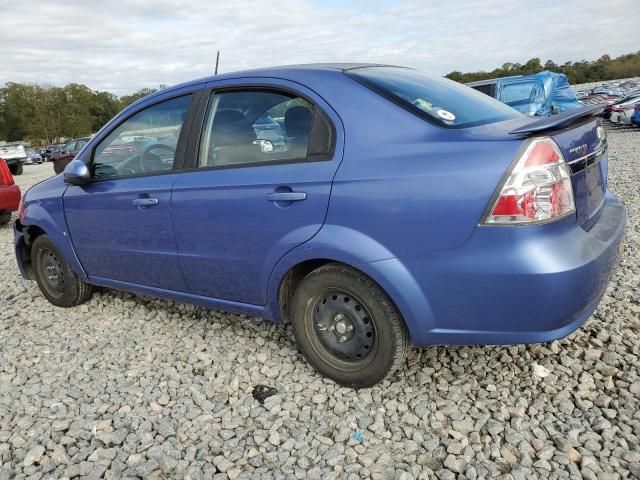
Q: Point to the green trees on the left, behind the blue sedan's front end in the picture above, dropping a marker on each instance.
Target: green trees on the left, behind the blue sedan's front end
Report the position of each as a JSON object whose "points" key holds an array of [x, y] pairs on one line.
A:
{"points": [[45, 114]]}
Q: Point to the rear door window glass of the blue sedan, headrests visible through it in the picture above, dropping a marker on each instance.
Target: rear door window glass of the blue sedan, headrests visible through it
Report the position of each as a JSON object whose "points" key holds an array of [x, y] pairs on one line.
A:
{"points": [[256, 126]]}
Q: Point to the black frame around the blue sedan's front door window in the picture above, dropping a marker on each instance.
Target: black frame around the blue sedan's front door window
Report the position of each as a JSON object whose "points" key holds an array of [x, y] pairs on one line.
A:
{"points": [[181, 145]]}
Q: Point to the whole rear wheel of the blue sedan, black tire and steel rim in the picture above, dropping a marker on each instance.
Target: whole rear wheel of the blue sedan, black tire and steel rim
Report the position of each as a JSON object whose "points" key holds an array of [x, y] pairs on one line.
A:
{"points": [[377, 343]]}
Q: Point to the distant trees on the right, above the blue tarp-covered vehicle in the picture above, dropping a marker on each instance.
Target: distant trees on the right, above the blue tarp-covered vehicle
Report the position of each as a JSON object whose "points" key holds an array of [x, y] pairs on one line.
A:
{"points": [[584, 71]]}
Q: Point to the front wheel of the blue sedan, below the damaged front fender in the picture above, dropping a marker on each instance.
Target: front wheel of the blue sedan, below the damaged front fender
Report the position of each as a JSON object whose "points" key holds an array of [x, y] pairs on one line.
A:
{"points": [[57, 281]]}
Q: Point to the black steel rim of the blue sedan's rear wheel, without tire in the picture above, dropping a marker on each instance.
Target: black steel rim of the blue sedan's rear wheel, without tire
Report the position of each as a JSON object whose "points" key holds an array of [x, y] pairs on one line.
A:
{"points": [[342, 329]]}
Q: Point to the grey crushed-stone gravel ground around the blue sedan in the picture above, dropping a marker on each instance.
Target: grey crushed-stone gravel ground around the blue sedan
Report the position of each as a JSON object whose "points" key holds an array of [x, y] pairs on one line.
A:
{"points": [[128, 386]]}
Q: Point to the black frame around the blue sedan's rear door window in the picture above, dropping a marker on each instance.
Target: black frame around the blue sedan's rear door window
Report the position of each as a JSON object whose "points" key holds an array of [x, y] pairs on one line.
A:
{"points": [[193, 149]]}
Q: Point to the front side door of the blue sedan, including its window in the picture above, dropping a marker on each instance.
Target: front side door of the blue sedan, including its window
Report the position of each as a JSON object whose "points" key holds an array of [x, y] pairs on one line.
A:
{"points": [[120, 221]]}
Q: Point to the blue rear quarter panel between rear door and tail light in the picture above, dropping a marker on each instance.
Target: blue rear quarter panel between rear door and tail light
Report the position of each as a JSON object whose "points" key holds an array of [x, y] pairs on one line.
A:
{"points": [[408, 185]]}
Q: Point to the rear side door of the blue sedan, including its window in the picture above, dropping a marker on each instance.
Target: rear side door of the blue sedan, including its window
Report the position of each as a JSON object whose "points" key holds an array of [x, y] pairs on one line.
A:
{"points": [[258, 185]]}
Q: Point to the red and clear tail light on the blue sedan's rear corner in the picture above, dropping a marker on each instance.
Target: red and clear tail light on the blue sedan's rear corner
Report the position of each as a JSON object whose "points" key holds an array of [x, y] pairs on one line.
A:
{"points": [[538, 188]]}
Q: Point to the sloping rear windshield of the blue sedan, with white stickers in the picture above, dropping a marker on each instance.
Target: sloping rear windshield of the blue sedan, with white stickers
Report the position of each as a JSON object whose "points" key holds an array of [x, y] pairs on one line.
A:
{"points": [[438, 100]]}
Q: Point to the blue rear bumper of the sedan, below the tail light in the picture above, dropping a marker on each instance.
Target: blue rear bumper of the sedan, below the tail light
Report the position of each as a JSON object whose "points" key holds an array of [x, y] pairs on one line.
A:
{"points": [[508, 285]]}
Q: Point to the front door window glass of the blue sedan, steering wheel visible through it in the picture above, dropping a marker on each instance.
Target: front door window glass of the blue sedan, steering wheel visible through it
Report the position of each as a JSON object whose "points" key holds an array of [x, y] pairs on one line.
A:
{"points": [[145, 143]]}
